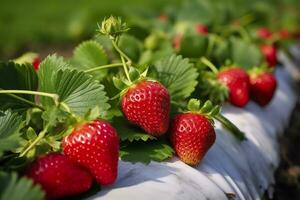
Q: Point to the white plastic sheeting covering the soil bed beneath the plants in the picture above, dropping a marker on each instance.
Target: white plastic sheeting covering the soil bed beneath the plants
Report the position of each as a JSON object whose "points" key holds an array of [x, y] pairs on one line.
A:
{"points": [[240, 170]]}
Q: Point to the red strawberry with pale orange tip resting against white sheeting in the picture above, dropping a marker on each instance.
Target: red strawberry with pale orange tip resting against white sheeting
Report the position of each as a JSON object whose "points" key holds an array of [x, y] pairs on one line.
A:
{"points": [[192, 135]]}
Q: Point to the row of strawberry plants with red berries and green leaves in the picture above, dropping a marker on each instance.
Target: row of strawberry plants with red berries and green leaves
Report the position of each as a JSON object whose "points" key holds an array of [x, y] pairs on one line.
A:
{"points": [[167, 87]]}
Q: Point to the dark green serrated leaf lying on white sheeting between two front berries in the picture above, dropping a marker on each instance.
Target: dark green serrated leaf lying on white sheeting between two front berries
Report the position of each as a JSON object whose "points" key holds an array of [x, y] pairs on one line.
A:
{"points": [[145, 152]]}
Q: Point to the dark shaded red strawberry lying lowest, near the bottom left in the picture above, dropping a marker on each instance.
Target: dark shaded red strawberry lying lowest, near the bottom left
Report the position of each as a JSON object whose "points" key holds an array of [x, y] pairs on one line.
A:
{"points": [[59, 176]]}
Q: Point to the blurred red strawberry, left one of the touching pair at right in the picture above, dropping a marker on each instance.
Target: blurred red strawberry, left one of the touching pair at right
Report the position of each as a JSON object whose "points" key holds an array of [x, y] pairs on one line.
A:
{"points": [[237, 82]]}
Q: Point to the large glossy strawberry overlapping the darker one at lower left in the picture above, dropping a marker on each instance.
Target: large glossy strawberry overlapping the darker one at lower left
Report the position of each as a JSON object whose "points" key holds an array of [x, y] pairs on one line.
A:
{"points": [[95, 146]]}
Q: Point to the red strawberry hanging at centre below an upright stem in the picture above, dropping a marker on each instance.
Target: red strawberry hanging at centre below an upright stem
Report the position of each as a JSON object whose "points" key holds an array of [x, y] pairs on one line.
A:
{"points": [[147, 104]]}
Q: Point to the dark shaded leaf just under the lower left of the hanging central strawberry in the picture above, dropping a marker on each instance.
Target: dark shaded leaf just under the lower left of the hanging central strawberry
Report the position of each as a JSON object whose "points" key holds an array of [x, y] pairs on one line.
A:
{"points": [[129, 132]]}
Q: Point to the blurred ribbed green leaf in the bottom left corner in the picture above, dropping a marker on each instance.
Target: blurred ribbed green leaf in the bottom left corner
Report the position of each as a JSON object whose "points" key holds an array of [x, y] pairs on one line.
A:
{"points": [[14, 188]]}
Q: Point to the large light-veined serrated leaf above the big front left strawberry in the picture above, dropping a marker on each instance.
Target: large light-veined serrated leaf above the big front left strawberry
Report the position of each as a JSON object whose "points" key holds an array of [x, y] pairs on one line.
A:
{"points": [[78, 91]]}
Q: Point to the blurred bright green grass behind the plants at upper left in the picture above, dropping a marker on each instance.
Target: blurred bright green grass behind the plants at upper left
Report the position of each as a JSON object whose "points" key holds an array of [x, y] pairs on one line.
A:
{"points": [[34, 24]]}
